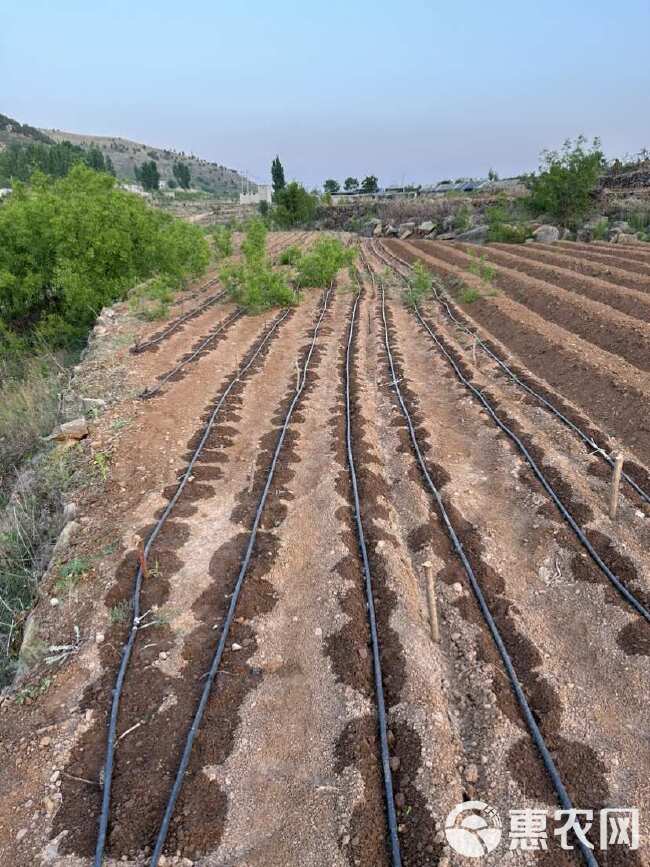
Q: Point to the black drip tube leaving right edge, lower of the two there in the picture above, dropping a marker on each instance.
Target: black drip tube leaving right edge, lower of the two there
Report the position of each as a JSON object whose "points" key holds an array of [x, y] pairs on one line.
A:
{"points": [[568, 517]]}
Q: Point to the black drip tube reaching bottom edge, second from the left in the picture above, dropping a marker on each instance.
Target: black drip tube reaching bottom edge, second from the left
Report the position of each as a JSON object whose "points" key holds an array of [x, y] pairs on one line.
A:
{"points": [[216, 660]]}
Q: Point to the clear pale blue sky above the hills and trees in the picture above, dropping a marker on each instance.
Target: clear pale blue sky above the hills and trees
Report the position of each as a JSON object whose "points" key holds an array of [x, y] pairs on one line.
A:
{"points": [[413, 92]]}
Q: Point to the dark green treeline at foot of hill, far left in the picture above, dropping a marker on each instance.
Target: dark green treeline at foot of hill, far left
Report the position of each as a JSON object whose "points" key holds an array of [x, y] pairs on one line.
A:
{"points": [[18, 162]]}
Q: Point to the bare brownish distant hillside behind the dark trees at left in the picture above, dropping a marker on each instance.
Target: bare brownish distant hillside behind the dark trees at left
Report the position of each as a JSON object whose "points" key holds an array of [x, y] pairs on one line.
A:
{"points": [[126, 154]]}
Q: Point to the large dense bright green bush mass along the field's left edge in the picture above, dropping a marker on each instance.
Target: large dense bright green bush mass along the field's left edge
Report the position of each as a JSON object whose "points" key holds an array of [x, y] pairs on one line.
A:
{"points": [[70, 246]]}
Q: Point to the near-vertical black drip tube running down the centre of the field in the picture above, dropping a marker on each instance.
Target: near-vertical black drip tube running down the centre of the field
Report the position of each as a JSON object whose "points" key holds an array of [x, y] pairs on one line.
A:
{"points": [[391, 816]]}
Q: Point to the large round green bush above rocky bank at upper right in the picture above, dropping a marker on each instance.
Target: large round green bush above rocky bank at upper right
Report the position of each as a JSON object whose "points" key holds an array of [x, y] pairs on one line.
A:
{"points": [[566, 180]]}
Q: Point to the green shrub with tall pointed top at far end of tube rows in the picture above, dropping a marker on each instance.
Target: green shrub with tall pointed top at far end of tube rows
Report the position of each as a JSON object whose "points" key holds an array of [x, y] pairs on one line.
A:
{"points": [[252, 282]]}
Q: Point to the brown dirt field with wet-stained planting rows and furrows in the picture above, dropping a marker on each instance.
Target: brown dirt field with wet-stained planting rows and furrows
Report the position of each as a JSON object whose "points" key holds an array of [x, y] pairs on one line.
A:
{"points": [[260, 432]]}
